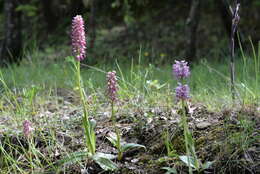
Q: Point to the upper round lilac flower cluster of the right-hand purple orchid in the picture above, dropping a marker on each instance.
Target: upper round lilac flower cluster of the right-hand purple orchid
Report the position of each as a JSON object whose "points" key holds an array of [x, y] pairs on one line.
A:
{"points": [[181, 69]]}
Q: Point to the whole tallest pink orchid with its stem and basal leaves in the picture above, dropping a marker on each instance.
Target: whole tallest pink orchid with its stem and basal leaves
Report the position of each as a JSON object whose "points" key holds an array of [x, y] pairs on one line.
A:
{"points": [[79, 53]]}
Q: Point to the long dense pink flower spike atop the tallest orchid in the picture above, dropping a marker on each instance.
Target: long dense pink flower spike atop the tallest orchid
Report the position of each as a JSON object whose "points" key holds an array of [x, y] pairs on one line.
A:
{"points": [[78, 38]]}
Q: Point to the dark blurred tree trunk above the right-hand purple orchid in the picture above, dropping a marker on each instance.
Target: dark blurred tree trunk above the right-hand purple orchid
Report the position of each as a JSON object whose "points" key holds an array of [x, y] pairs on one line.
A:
{"points": [[191, 30]]}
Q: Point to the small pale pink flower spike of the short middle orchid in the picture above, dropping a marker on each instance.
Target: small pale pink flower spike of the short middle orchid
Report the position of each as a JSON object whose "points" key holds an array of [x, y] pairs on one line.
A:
{"points": [[111, 85]]}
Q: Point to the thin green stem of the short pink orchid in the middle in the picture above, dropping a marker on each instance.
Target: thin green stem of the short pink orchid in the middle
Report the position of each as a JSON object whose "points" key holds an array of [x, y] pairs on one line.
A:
{"points": [[118, 138]]}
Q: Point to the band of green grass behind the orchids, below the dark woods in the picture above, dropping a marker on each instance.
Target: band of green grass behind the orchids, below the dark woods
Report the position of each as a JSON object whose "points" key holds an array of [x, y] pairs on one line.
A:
{"points": [[209, 80]]}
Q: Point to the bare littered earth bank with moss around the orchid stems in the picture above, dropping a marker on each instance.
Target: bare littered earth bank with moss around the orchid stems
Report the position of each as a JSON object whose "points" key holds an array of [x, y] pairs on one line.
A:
{"points": [[228, 138]]}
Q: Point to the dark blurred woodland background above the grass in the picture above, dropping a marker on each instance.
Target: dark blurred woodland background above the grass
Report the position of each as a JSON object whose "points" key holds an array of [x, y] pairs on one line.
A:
{"points": [[163, 30]]}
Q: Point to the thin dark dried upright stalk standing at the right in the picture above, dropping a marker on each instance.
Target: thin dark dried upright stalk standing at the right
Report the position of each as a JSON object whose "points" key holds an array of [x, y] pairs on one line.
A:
{"points": [[235, 20]]}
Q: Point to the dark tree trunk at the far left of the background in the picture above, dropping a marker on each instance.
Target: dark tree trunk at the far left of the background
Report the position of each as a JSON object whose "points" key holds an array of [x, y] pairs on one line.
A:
{"points": [[11, 45]]}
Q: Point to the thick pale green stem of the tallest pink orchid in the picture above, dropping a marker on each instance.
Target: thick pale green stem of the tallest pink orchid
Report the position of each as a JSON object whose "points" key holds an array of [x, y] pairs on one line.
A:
{"points": [[88, 130]]}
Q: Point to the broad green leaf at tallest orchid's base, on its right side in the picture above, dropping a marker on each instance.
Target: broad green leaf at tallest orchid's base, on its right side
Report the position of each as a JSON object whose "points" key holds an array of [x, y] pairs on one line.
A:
{"points": [[104, 163]]}
